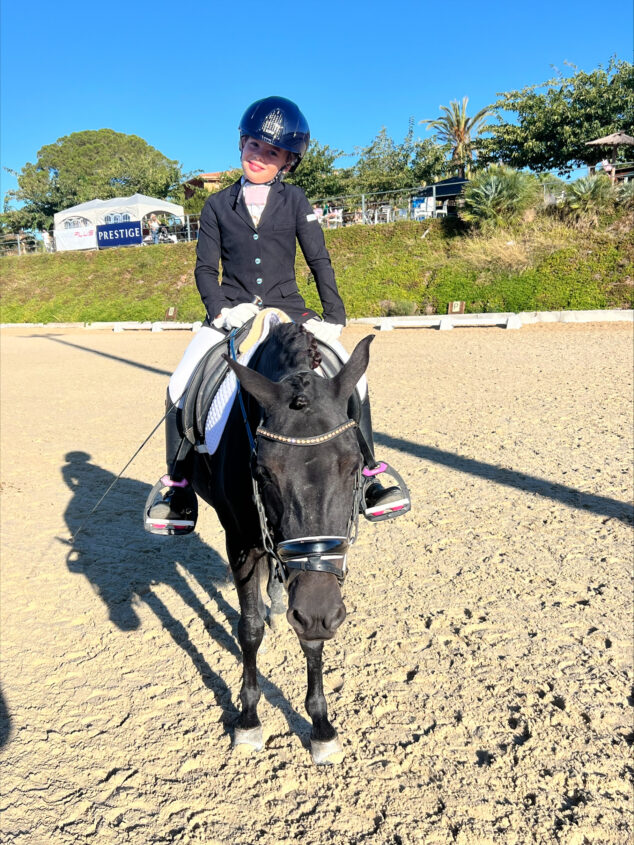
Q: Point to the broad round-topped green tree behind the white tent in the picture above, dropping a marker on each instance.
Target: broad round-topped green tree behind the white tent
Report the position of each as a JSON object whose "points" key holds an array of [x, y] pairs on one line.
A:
{"points": [[96, 164]]}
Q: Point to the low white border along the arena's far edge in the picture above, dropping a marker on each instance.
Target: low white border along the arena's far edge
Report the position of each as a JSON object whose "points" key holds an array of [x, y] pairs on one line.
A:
{"points": [[442, 322]]}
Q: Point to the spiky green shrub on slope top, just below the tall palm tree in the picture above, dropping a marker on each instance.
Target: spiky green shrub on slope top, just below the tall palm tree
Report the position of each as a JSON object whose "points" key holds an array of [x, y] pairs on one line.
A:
{"points": [[500, 195]]}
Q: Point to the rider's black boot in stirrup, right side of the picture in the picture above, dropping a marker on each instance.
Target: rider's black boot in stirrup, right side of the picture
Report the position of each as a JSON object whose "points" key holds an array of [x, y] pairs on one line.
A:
{"points": [[379, 502]]}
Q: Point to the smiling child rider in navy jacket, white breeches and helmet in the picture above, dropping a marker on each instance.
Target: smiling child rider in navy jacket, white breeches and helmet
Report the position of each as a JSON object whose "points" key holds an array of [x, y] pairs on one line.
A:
{"points": [[252, 227]]}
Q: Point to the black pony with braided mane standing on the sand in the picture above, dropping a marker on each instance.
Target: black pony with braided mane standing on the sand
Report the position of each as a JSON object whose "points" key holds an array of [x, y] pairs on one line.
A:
{"points": [[288, 500]]}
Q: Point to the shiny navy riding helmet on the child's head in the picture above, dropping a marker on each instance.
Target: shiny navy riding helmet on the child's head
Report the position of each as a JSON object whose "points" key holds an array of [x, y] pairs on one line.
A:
{"points": [[279, 122]]}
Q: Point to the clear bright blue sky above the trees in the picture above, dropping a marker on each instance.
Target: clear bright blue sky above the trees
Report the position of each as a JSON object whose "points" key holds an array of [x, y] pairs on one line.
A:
{"points": [[179, 75]]}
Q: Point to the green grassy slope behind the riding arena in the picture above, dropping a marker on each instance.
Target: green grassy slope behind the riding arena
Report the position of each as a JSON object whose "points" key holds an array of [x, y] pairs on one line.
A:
{"points": [[396, 268]]}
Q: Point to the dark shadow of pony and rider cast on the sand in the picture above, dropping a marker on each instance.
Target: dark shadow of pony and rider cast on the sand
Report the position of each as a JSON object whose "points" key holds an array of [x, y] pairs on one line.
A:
{"points": [[124, 564]]}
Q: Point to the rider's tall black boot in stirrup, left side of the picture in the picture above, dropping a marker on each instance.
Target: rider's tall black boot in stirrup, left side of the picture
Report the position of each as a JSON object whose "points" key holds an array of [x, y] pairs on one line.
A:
{"points": [[172, 507]]}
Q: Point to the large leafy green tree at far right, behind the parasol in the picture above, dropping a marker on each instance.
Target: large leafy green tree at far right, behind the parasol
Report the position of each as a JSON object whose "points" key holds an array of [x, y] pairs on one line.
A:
{"points": [[550, 127]]}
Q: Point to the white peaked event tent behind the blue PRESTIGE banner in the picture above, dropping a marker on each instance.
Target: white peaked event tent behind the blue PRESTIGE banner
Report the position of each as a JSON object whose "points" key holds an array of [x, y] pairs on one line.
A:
{"points": [[76, 227]]}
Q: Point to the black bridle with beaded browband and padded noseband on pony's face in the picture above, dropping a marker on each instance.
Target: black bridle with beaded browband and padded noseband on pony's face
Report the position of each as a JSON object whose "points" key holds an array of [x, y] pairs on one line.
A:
{"points": [[327, 553]]}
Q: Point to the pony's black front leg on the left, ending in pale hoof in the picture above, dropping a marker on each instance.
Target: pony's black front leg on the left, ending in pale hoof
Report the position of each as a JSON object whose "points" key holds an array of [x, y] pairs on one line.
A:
{"points": [[248, 729]]}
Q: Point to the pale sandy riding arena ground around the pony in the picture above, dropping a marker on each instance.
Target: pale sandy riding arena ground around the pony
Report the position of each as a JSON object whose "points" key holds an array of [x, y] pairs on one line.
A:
{"points": [[481, 683]]}
